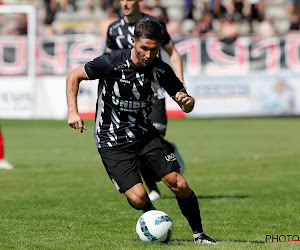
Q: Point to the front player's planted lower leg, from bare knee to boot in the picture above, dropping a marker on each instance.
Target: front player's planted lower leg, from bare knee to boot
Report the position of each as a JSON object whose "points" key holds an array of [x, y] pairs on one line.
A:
{"points": [[188, 204]]}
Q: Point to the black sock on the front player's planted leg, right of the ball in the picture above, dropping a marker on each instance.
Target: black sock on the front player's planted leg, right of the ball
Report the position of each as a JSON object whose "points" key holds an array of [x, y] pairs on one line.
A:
{"points": [[190, 209]]}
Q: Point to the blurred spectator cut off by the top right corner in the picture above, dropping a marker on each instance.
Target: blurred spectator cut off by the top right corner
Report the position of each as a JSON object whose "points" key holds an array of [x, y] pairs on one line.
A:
{"points": [[293, 10]]}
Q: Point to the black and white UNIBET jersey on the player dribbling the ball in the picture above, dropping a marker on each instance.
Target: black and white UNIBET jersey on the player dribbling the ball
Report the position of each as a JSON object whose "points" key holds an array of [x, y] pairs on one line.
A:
{"points": [[124, 104]]}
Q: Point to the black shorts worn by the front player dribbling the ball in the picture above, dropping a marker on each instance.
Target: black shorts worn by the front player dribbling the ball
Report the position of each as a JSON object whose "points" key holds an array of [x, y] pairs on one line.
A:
{"points": [[151, 151]]}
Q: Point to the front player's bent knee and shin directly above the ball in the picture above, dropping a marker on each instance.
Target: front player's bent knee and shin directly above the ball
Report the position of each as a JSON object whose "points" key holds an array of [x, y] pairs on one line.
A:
{"points": [[137, 197]]}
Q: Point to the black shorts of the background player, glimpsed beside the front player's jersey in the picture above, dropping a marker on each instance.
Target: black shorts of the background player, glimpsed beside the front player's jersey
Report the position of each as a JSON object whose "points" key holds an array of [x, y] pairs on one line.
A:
{"points": [[158, 115]]}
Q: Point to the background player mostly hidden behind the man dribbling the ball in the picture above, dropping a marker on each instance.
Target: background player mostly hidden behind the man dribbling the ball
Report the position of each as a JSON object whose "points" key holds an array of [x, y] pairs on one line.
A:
{"points": [[119, 37]]}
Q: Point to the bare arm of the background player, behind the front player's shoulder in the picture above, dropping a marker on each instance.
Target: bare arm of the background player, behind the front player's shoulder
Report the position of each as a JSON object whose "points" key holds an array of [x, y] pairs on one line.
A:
{"points": [[175, 60]]}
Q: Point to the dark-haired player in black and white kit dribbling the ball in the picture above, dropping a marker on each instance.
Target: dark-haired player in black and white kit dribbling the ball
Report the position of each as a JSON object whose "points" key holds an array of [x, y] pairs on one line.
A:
{"points": [[123, 131]]}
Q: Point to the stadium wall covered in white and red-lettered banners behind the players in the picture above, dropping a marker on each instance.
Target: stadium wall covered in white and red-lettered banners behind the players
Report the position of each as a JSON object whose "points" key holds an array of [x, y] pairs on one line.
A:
{"points": [[246, 78]]}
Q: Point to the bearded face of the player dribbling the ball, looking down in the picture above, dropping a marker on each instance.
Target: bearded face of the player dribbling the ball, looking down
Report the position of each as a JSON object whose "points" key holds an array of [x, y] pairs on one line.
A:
{"points": [[144, 51]]}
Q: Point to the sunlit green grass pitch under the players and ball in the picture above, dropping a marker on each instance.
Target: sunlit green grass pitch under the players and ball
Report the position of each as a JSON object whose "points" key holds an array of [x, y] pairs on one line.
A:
{"points": [[245, 173]]}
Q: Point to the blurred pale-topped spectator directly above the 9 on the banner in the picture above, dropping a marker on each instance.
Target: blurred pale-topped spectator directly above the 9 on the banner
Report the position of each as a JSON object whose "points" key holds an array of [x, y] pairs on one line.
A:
{"points": [[228, 32]]}
